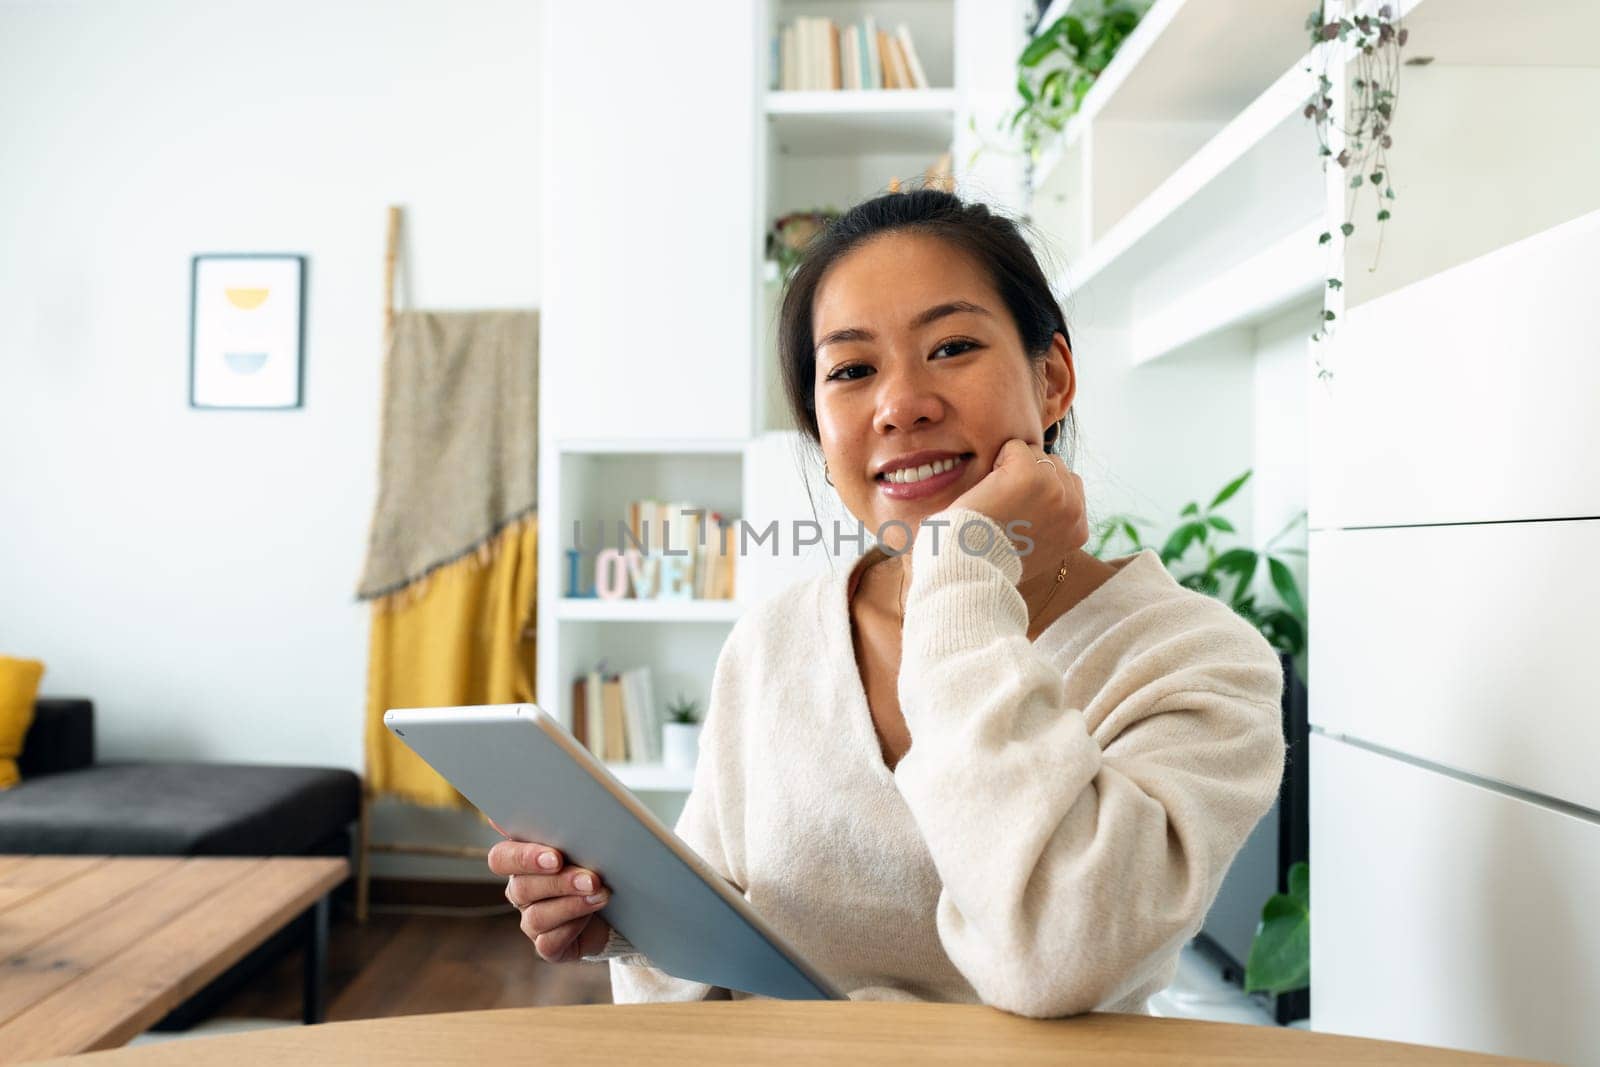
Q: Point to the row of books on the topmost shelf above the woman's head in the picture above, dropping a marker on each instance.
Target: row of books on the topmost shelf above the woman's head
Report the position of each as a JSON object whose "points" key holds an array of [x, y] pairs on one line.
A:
{"points": [[815, 54]]}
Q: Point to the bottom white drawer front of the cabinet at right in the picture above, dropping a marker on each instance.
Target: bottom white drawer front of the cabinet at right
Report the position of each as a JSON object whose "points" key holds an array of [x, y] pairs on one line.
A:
{"points": [[1449, 914]]}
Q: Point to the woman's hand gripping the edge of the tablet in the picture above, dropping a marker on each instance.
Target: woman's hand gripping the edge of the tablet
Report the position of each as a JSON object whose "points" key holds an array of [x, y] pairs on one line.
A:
{"points": [[558, 901]]}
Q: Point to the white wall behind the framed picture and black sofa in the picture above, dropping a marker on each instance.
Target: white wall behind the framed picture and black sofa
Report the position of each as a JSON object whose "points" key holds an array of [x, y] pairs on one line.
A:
{"points": [[193, 572]]}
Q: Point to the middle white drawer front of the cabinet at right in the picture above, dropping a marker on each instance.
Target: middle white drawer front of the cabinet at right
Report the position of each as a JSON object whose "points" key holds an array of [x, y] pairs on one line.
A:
{"points": [[1473, 647]]}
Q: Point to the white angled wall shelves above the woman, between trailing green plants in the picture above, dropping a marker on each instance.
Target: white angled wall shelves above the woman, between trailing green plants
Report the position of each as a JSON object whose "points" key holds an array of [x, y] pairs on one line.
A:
{"points": [[1186, 166]]}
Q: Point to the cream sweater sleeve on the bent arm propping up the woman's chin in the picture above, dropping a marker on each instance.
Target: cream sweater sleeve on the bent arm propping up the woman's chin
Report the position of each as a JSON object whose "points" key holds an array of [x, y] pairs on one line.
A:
{"points": [[1073, 868]]}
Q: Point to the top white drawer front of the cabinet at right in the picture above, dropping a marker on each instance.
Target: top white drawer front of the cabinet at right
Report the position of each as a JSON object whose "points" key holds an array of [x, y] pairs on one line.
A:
{"points": [[1470, 396]]}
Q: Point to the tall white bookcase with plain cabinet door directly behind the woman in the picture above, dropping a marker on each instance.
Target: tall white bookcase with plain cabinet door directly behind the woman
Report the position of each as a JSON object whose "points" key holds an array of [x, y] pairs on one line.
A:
{"points": [[676, 350]]}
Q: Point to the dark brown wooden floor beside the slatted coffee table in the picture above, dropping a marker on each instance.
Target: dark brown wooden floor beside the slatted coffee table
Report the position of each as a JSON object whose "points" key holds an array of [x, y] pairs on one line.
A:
{"points": [[401, 965]]}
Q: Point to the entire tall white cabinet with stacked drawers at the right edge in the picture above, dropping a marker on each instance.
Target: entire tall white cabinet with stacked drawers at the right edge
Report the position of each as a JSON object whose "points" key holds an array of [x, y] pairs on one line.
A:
{"points": [[1479, 313]]}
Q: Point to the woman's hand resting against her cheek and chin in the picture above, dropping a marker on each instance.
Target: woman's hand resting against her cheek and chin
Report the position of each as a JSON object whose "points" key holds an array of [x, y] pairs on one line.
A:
{"points": [[1042, 502]]}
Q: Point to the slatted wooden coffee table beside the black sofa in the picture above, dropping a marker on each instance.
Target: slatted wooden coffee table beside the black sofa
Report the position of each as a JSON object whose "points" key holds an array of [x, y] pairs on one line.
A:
{"points": [[95, 949]]}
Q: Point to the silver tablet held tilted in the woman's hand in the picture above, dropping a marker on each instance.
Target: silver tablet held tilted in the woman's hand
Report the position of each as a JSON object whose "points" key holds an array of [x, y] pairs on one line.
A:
{"points": [[521, 767]]}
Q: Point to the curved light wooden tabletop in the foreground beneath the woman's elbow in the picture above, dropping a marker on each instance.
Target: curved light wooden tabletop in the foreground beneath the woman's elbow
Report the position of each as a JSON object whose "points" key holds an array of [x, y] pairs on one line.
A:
{"points": [[775, 1033]]}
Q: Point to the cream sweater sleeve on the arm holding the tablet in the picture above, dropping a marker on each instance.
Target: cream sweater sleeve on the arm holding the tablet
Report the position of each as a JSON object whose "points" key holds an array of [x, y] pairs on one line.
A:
{"points": [[703, 825]]}
